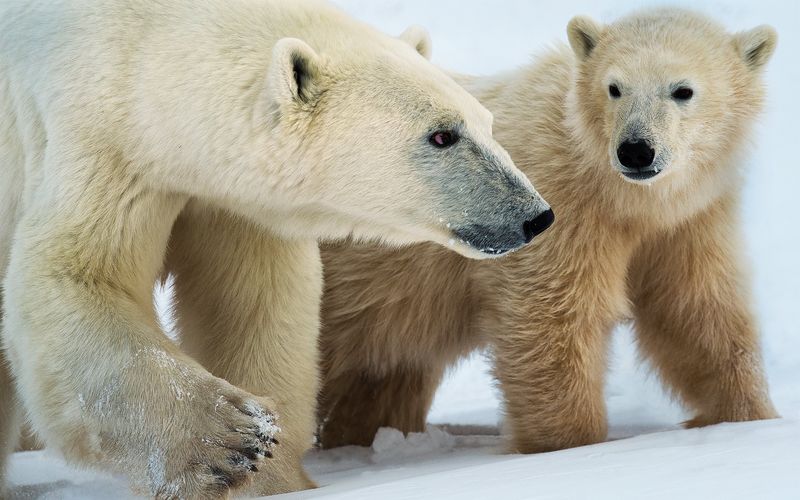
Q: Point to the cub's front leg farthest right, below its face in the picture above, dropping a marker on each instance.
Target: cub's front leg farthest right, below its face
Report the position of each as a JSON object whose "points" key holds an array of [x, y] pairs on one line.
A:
{"points": [[694, 319]]}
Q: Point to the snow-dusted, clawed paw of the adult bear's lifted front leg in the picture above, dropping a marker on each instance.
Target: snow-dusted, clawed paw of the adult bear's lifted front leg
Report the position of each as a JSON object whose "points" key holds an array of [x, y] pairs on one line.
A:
{"points": [[232, 435]]}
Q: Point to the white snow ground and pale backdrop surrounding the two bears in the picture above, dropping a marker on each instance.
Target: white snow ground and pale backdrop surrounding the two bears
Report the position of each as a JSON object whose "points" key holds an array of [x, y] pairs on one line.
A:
{"points": [[648, 455]]}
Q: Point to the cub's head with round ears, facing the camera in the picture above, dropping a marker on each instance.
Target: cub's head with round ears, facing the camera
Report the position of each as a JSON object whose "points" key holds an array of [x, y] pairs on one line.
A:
{"points": [[670, 92]]}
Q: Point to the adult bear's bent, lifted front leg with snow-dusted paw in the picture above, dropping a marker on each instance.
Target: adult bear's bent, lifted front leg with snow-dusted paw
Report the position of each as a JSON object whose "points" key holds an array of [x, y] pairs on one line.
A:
{"points": [[98, 378]]}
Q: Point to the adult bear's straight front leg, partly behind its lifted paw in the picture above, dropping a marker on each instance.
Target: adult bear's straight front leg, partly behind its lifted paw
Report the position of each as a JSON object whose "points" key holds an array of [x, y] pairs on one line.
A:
{"points": [[247, 308]]}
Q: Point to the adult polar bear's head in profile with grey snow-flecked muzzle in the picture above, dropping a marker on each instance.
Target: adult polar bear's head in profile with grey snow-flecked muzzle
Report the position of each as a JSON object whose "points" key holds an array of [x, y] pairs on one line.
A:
{"points": [[383, 145]]}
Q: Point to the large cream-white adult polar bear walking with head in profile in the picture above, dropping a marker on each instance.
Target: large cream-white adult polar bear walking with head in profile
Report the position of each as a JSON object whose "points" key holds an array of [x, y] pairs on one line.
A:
{"points": [[118, 118]]}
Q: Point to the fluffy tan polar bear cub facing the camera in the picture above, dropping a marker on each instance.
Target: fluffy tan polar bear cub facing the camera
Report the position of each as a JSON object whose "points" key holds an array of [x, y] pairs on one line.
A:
{"points": [[634, 137]]}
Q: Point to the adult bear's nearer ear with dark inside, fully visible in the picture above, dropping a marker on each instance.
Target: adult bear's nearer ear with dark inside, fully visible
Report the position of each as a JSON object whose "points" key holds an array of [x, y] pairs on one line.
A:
{"points": [[293, 72]]}
